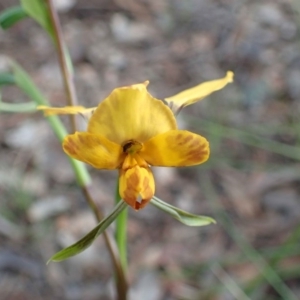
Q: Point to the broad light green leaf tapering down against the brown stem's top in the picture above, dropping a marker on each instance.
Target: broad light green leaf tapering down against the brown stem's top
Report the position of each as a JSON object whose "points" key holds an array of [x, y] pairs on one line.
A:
{"points": [[38, 10]]}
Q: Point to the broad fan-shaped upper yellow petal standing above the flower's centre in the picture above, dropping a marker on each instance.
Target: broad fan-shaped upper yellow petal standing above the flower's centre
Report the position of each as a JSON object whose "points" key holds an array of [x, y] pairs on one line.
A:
{"points": [[131, 113]]}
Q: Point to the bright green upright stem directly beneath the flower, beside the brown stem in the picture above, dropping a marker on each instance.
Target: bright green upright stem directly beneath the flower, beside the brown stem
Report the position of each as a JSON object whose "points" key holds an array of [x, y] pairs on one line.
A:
{"points": [[121, 231]]}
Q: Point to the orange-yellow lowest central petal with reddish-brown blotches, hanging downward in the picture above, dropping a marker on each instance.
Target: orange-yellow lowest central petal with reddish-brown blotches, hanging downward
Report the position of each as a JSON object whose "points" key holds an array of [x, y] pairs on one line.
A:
{"points": [[136, 184]]}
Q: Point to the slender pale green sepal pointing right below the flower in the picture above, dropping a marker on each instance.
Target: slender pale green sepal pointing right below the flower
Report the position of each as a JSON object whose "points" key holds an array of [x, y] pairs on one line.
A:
{"points": [[181, 215]]}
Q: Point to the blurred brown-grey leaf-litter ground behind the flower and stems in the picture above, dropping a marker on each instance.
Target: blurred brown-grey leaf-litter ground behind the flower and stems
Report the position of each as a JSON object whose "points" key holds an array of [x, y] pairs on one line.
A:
{"points": [[250, 184]]}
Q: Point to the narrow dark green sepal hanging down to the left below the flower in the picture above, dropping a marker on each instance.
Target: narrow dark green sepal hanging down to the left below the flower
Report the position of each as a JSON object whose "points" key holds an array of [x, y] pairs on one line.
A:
{"points": [[87, 240]]}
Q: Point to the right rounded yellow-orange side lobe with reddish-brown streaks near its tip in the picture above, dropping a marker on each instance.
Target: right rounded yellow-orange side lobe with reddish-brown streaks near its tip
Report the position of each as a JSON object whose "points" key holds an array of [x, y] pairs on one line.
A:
{"points": [[176, 148]]}
